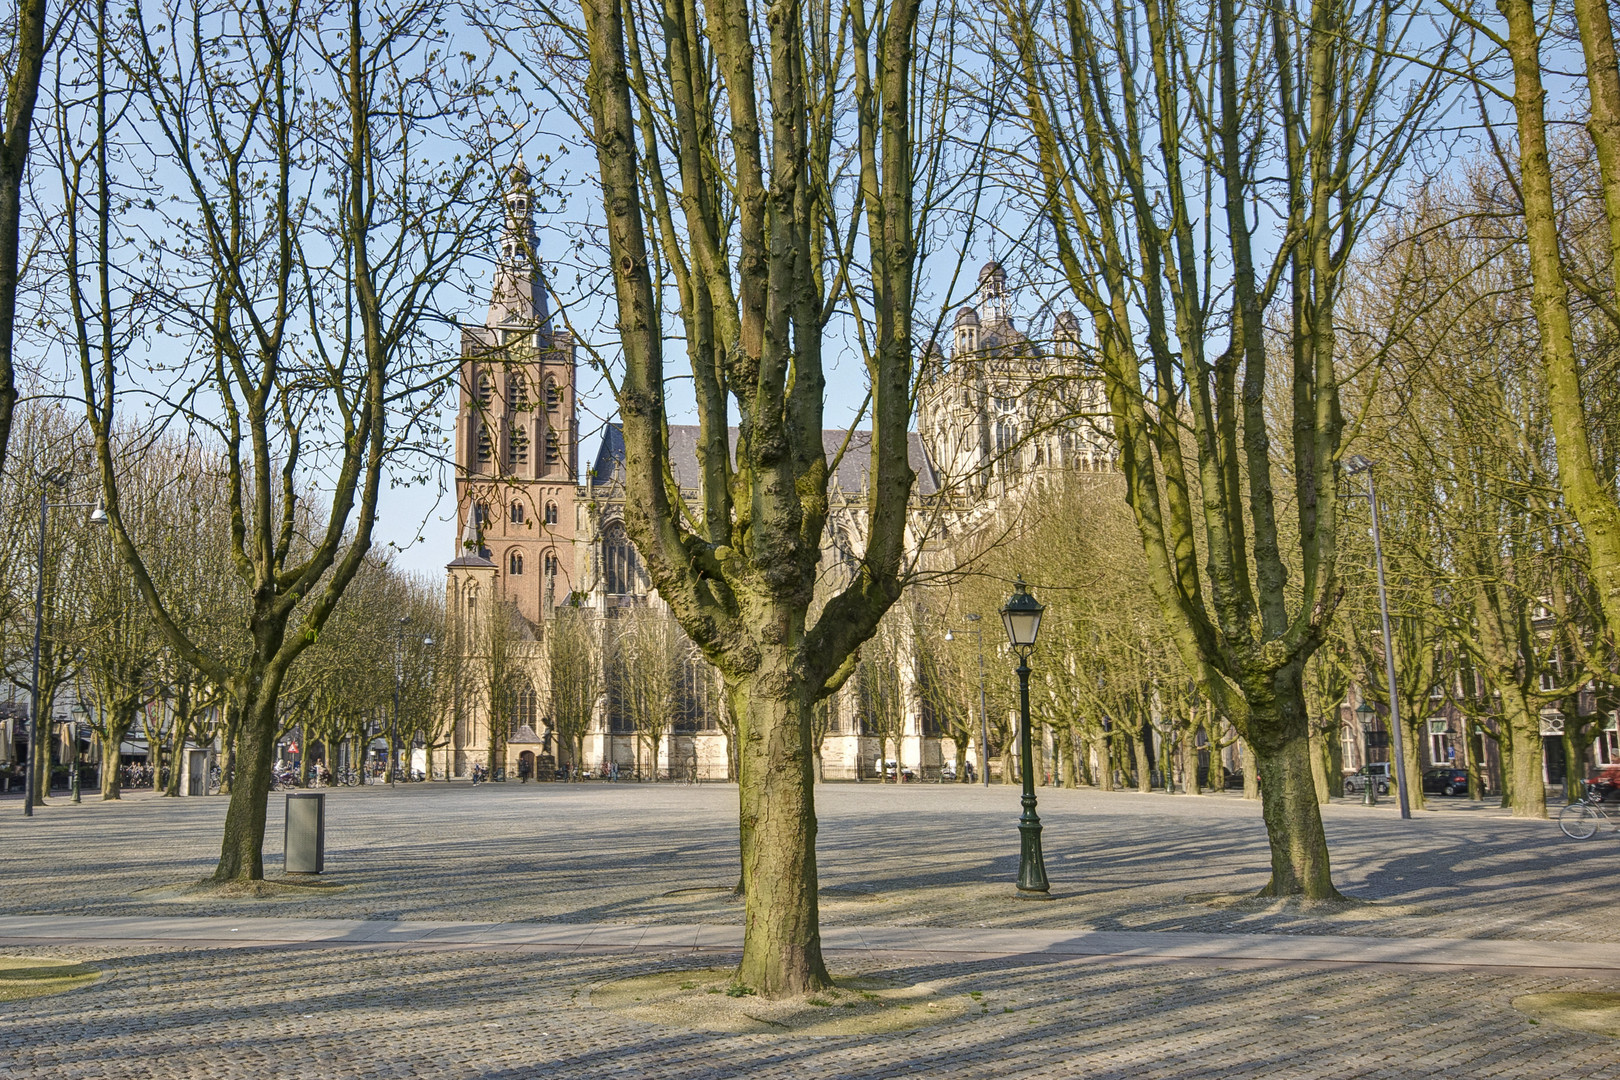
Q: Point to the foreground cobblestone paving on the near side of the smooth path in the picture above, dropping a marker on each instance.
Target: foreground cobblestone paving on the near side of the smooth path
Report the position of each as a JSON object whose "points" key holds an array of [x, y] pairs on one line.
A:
{"points": [[187, 1014]]}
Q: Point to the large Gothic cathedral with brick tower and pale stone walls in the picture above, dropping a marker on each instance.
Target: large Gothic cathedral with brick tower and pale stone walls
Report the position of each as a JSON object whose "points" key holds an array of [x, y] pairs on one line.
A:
{"points": [[999, 414]]}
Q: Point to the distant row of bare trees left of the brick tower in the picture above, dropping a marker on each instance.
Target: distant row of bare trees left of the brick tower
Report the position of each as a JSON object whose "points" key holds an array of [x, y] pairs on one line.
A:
{"points": [[103, 648]]}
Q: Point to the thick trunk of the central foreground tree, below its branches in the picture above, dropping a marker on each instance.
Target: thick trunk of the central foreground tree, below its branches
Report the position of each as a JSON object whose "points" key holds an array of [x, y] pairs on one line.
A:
{"points": [[783, 942]]}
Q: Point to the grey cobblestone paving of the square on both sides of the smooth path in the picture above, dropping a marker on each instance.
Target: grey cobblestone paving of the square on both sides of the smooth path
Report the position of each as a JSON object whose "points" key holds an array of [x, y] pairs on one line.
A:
{"points": [[892, 857]]}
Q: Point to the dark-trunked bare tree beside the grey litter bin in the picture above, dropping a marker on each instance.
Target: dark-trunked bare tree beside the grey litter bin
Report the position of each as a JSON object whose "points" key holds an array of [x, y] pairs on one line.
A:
{"points": [[307, 239]]}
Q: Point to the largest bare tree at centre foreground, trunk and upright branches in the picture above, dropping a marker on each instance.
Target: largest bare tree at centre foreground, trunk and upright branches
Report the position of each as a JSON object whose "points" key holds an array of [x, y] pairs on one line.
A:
{"points": [[722, 161]]}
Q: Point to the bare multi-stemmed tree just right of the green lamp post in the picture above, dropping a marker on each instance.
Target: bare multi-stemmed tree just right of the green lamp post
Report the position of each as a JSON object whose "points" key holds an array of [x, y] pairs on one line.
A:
{"points": [[1154, 132]]}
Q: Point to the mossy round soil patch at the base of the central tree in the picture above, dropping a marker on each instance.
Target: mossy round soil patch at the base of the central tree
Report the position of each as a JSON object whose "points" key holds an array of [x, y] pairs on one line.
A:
{"points": [[710, 1000]]}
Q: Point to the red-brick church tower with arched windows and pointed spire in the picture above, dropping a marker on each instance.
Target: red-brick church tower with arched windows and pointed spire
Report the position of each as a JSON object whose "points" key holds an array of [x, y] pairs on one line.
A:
{"points": [[518, 433]]}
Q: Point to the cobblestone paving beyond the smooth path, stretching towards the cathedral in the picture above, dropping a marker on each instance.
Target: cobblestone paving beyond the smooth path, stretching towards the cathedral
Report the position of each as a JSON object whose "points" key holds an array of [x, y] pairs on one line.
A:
{"points": [[906, 856]]}
